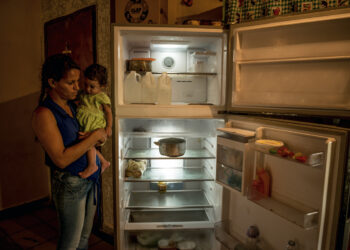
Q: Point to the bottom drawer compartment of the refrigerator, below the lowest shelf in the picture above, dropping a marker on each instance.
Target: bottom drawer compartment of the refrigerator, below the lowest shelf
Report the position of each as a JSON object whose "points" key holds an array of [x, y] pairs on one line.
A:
{"points": [[148, 240]]}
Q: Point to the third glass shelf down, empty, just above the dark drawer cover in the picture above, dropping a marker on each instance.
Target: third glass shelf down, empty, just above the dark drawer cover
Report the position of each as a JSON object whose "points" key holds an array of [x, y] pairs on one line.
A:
{"points": [[168, 199]]}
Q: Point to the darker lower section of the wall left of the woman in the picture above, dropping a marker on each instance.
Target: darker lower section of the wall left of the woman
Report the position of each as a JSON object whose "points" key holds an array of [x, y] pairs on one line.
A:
{"points": [[23, 175]]}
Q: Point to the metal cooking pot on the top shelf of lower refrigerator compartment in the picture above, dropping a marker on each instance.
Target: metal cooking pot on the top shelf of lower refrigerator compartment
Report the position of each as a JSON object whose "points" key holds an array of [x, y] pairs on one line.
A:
{"points": [[172, 147]]}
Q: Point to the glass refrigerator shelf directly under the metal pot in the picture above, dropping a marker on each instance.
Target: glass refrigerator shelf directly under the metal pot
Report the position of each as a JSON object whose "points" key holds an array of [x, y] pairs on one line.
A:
{"points": [[154, 154]]}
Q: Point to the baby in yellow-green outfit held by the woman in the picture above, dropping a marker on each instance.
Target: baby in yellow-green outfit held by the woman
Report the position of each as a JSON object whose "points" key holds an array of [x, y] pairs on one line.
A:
{"points": [[94, 111]]}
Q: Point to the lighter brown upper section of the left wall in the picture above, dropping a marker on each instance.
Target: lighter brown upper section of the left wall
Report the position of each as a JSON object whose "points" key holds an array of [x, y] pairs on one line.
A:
{"points": [[20, 47]]}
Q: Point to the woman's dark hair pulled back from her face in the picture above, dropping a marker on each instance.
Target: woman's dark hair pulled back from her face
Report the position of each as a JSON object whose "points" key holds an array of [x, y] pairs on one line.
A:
{"points": [[55, 67]]}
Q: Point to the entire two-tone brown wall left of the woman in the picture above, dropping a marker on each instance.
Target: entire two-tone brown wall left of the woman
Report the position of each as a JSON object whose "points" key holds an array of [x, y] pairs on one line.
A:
{"points": [[23, 176]]}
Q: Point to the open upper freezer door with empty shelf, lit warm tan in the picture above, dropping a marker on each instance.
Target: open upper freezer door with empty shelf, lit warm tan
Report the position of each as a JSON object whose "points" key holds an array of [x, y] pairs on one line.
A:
{"points": [[295, 64]]}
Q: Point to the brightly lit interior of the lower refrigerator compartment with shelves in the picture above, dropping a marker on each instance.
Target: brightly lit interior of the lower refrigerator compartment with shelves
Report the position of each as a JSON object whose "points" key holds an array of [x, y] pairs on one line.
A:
{"points": [[175, 197]]}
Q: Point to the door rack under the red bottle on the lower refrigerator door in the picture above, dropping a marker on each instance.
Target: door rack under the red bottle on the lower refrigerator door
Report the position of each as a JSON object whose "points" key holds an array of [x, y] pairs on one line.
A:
{"points": [[302, 216]]}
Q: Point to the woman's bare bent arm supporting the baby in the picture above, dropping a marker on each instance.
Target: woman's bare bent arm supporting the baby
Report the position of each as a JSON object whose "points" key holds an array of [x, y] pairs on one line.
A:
{"points": [[45, 128]]}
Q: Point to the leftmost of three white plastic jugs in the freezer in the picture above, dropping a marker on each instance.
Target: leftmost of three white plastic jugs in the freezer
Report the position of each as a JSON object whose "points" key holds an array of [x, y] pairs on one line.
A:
{"points": [[132, 88]]}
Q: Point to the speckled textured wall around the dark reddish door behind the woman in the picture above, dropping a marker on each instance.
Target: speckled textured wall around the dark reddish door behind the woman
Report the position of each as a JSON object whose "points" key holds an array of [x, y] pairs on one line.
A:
{"points": [[56, 8]]}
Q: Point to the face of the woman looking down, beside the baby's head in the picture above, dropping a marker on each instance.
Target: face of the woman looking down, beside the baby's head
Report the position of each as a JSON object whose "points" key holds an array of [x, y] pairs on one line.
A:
{"points": [[67, 88]]}
